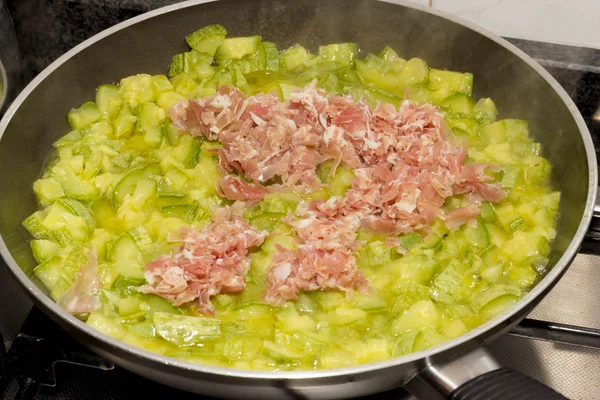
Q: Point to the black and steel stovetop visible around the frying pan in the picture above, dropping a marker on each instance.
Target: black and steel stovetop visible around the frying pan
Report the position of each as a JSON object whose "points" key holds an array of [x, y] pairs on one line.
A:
{"points": [[558, 344]]}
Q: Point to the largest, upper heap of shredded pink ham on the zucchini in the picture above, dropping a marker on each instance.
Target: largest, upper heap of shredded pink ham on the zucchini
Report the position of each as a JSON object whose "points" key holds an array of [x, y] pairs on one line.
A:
{"points": [[267, 140]]}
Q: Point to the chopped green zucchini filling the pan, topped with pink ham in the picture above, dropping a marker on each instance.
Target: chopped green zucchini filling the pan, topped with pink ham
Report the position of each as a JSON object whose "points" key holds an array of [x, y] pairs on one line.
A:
{"points": [[126, 180]]}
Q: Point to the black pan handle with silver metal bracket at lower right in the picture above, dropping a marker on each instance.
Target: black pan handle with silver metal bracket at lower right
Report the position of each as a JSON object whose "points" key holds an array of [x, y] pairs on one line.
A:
{"points": [[476, 375]]}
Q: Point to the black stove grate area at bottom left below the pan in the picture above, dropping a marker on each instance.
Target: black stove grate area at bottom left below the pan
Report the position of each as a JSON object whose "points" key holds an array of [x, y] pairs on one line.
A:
{"points": [[43, 362]]}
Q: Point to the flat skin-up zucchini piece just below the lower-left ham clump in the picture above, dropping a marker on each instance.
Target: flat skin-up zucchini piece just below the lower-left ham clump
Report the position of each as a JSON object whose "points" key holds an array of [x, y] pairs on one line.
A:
{"points": [[185, 330]]}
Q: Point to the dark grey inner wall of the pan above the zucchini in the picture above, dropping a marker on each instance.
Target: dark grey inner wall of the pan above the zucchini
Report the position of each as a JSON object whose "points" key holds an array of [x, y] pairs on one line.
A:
{"points": [[147, 47]]}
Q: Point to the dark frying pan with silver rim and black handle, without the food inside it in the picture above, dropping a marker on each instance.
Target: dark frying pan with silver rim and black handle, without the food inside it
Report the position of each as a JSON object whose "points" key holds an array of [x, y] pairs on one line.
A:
{"points": [[461, 368]]}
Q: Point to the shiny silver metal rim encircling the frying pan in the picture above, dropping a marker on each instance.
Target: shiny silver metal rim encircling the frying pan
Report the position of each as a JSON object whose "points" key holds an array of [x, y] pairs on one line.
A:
{"points": [[472, 336]]}
